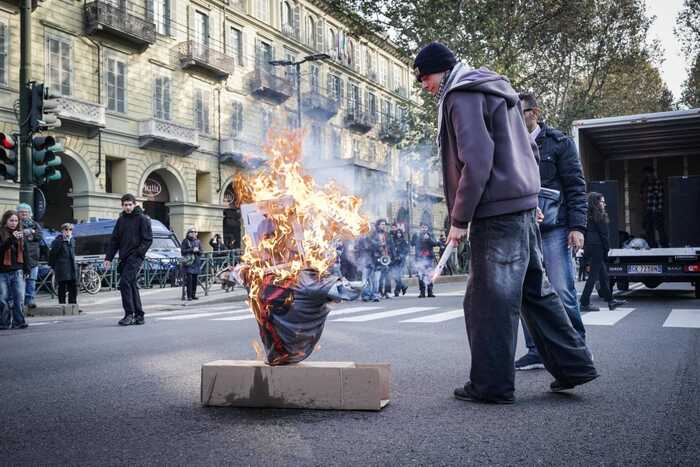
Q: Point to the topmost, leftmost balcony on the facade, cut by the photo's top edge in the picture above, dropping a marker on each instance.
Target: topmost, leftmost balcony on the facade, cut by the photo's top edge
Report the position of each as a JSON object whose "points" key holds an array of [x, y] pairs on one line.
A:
{"points": [[104, 17]]}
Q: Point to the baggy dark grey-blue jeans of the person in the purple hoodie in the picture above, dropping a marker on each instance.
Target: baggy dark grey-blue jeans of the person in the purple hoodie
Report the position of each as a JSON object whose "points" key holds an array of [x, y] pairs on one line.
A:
{"points": [[507, 279]]}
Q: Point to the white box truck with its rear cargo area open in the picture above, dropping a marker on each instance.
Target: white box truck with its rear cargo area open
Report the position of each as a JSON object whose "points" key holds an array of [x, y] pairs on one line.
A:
{"points": [[614, 153]]}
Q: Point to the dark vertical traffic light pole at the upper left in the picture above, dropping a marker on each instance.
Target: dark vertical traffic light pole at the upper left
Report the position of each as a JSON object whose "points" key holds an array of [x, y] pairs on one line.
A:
{"points": [[26, 187]]}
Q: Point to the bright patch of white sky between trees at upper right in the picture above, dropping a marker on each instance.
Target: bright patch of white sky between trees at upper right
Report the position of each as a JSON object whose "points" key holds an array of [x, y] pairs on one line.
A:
{"points": [[674, 68]]}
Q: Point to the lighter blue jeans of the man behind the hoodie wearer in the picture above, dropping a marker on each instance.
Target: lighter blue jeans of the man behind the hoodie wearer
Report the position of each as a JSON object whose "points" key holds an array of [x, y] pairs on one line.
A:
{"points": [[559, 265]]}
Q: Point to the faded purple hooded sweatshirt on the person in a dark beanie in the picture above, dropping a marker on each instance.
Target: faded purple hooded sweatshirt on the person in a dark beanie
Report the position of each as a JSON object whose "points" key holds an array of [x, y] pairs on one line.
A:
{"points": [[489, 162]]}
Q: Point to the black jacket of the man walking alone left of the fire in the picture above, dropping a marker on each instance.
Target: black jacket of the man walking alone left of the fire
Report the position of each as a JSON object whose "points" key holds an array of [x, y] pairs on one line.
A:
{"points": [[132, 235]]}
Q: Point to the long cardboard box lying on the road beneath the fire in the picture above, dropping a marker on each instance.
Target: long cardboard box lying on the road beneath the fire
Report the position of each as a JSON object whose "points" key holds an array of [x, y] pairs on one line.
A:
{"points": [[307, 385]]}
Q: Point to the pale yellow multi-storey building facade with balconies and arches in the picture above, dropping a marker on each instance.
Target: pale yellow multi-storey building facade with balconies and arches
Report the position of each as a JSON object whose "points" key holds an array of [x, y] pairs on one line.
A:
{"points": [[164, 98]]}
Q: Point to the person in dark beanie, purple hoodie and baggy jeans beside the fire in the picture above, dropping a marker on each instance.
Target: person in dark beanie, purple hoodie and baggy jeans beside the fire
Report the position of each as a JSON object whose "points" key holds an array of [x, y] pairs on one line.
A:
{"points": [[491, 185]]}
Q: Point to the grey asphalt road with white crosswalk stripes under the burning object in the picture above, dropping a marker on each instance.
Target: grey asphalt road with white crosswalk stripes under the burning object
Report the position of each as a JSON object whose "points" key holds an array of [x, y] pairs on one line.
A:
{"points": [[84, 391]]}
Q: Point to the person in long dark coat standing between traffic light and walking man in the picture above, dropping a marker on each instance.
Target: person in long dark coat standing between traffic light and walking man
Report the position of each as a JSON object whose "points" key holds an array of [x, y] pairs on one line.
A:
{"points": [[62, 260]]}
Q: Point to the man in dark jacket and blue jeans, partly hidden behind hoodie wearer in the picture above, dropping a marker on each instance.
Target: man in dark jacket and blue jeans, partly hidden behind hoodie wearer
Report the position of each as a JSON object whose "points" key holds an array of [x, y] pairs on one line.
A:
{"points": [[560, 170]]}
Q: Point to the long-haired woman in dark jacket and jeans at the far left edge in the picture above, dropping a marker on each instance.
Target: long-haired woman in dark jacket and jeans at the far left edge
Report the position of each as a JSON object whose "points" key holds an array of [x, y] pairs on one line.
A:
{"points": [[13, 269]]}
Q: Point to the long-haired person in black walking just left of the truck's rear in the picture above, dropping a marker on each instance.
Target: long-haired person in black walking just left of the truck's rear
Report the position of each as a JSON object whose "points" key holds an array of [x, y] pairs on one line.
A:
{"points": [[596, 251]]}
